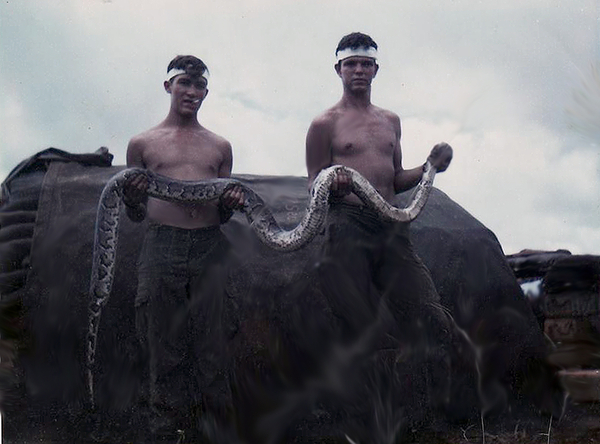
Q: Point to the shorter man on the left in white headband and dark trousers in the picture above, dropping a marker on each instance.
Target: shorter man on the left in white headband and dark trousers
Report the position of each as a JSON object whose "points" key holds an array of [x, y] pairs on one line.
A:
{"points": [[176, 307]]}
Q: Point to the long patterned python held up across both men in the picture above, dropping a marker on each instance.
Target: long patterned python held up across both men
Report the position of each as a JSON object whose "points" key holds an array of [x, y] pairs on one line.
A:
{"points": [[258, 214]]}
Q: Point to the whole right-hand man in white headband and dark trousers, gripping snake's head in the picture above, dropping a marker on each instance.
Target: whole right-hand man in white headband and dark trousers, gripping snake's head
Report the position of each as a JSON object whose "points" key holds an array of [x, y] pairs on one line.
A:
{"points": [[368, 265]]}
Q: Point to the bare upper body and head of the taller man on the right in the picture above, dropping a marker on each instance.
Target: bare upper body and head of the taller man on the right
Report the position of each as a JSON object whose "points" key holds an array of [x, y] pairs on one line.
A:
{"points": [[360, 135]]}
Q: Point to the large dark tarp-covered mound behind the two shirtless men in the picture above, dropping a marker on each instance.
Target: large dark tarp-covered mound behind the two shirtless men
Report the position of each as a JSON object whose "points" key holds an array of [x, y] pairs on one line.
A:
{"points": [[291, 376]]}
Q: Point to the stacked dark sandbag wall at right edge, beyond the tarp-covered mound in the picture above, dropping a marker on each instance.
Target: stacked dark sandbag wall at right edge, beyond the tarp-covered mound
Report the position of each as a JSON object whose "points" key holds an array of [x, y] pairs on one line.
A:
{"points": [[564, 292]]}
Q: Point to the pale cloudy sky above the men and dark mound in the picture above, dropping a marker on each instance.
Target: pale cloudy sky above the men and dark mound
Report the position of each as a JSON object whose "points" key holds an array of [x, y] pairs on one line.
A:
{"points": [[513, 86]]}
